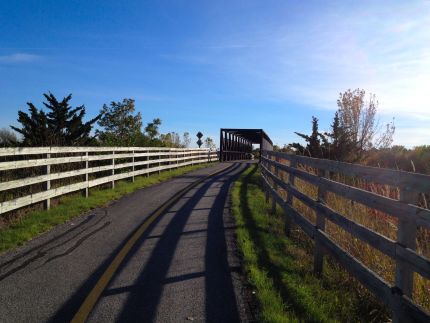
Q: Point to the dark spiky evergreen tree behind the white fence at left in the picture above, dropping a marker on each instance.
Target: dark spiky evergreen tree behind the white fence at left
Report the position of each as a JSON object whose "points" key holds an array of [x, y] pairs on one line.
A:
{"points": [[61, 126]]}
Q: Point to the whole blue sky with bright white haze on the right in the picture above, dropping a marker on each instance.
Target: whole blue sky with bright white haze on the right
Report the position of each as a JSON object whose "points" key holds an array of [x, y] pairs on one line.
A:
{"points": [[203, 65]]}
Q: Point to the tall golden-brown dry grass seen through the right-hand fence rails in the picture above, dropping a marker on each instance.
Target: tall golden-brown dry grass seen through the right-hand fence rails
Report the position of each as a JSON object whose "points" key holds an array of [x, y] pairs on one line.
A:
{"points": [[378, 221]]}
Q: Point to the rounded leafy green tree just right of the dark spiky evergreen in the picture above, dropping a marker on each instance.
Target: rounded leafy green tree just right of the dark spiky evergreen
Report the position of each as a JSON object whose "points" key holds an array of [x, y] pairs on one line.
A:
{"points": [[120, 126]]}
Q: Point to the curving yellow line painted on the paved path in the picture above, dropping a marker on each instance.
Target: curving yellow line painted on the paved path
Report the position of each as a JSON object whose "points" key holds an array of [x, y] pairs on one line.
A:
{"points": [[92, 298]]}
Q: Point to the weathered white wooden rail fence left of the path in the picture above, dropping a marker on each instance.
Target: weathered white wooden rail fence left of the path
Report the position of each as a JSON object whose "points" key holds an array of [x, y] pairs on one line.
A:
{"points": [[83, 167]]}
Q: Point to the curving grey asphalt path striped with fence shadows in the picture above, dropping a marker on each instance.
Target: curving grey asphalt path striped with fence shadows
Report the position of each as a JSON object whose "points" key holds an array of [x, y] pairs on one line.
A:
{"points": [[183, 266]]}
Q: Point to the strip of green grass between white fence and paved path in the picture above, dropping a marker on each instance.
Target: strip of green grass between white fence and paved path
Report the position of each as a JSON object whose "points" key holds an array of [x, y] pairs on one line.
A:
{"points": [[37, 222]]}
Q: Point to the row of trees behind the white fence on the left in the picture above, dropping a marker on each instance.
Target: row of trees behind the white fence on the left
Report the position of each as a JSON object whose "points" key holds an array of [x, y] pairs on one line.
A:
{"points": [[60, 124]]}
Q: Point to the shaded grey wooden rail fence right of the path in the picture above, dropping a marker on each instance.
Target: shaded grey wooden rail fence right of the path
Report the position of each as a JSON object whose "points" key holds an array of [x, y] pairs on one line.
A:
{"points": [[281, 173]]}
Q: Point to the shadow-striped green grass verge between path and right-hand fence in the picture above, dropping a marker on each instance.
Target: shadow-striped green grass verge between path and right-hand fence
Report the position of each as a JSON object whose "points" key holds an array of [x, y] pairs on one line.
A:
{"points": [[280, 269]]}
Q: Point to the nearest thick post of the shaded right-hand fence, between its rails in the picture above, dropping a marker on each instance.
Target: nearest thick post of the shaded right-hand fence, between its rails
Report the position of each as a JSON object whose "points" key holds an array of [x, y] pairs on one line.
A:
{"points": [[406, 237]]}
